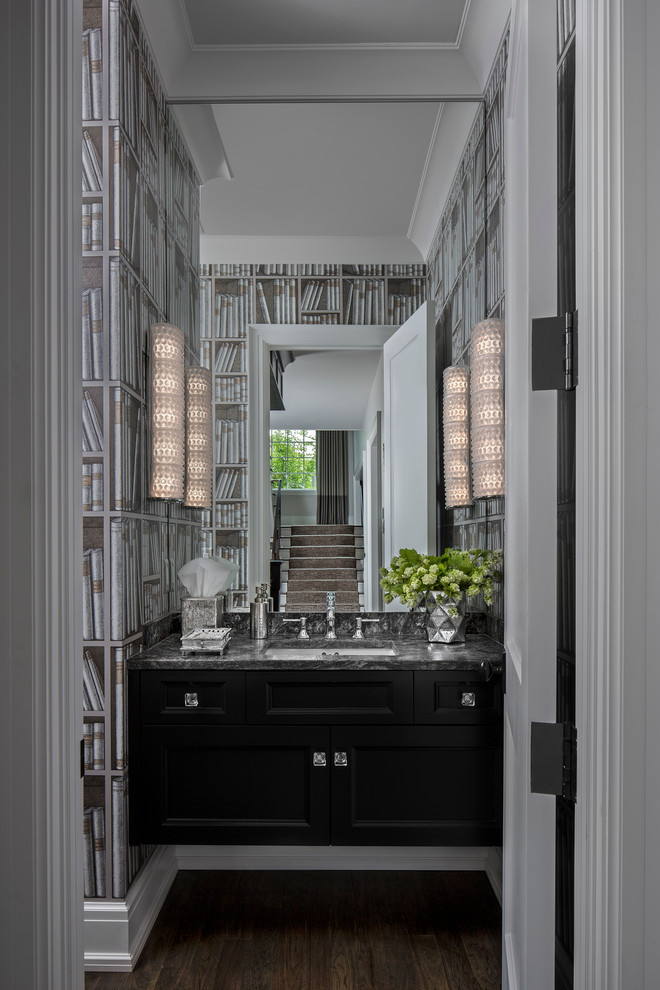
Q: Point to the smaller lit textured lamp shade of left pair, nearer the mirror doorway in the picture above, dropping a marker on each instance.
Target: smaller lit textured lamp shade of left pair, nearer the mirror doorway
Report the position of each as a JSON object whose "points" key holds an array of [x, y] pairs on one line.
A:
{"points": [[199, 438]]}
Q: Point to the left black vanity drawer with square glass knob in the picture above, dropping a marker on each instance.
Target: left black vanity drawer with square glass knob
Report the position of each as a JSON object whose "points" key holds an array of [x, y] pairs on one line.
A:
{"points": [[183, 697]]}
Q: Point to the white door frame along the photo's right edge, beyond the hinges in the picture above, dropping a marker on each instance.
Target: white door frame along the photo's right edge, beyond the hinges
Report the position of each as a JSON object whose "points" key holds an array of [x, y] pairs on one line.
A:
{"points": [[618, 476]]}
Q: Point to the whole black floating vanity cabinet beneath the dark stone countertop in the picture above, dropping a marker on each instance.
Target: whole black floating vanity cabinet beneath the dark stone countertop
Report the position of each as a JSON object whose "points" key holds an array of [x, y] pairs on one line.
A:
{"points": [[315, 757]]}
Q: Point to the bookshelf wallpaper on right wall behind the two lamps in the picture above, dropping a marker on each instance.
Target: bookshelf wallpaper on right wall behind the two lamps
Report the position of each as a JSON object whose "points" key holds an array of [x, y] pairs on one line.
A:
{"points": [[466, 283]]}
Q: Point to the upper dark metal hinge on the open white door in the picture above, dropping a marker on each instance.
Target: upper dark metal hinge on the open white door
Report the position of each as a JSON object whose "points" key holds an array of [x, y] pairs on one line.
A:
{"points": [[555, 353]]}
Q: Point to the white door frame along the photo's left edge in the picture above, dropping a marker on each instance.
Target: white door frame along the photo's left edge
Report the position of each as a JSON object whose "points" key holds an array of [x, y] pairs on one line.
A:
{"points": [[42, 851]]}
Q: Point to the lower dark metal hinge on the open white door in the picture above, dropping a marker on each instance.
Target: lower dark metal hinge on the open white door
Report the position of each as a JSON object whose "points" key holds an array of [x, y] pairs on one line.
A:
{"points": [[554, 759]]}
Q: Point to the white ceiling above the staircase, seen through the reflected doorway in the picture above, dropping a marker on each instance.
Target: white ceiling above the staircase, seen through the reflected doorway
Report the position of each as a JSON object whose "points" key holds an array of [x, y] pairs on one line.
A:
{"points": [[327, 390]]}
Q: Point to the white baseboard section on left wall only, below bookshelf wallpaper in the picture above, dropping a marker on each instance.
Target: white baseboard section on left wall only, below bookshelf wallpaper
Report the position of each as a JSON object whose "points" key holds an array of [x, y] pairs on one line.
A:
{"points": [[115, 931]]}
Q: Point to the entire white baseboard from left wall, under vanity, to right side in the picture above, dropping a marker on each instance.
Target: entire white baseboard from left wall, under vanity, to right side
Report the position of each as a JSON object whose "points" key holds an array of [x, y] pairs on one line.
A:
{"points": [[115, 931]]}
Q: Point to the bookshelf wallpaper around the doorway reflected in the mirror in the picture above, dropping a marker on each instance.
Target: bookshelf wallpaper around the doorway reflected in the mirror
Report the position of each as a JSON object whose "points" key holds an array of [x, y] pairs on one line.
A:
{"points": [[232, 296]]}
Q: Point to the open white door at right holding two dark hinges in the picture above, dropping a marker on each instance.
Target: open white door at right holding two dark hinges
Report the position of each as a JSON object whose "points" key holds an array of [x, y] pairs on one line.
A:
{"points": [[530, 540]]}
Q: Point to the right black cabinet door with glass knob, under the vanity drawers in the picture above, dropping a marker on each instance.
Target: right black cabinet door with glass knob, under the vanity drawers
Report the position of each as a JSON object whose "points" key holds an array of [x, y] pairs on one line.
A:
{"points": [[439, 785]]}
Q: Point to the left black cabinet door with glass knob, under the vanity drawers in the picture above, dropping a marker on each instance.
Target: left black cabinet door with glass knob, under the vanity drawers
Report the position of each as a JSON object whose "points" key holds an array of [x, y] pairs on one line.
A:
{"points": [[239, 784]]}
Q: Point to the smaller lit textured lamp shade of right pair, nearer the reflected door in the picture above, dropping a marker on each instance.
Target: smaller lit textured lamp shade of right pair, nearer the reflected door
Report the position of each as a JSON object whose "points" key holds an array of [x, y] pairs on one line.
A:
{"points": [[455, 385]]}
